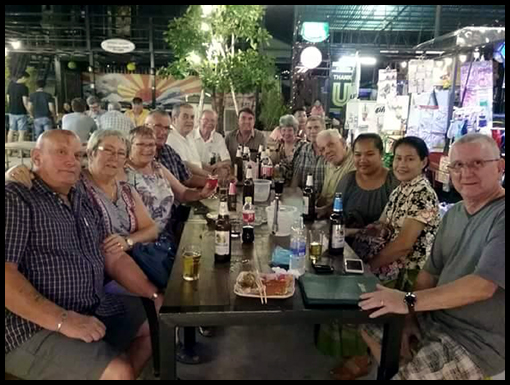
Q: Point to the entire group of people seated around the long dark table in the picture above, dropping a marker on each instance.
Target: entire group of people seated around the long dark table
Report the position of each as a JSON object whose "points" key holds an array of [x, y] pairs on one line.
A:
{"points": [[68, 228]]}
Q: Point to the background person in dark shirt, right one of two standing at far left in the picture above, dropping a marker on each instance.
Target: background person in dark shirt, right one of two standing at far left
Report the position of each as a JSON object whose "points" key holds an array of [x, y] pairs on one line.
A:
{"points": [[42, 109]]}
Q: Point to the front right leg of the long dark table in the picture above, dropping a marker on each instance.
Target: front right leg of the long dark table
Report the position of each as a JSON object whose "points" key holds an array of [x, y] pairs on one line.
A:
{"points": [[390, 353]]}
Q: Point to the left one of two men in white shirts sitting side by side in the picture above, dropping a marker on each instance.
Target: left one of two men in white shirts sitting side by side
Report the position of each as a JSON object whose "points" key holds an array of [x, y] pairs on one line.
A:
{"points": [[181, 138]]}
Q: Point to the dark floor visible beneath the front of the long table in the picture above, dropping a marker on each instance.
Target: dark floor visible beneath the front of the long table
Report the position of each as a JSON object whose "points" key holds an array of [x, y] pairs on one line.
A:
{"points": [[258, 353]]}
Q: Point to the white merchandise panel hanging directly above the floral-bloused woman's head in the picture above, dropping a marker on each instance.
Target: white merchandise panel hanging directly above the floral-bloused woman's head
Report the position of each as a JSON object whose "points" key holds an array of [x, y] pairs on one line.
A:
{"points": [[428, 118]]}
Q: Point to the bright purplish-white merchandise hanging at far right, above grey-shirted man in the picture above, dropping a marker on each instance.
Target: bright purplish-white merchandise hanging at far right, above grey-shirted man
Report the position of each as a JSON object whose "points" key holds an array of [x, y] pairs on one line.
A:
{"points": [[476, 92]]}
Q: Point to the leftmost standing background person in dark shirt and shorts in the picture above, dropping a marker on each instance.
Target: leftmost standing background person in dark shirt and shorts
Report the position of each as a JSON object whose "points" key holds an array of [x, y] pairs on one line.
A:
{"points": [[17, 97]]}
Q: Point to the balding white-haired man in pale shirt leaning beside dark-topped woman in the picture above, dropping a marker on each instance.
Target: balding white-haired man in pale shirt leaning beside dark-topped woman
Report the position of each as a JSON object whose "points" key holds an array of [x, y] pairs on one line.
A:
{"points": [[340, 162]]}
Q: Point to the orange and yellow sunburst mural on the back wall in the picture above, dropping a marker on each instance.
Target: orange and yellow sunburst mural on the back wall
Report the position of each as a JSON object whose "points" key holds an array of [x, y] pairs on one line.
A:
{"points": [[124, 87]]}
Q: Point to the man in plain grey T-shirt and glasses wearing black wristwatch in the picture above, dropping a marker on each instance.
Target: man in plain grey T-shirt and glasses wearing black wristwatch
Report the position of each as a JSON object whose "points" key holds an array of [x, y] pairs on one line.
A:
{"points": [[460, 293]]}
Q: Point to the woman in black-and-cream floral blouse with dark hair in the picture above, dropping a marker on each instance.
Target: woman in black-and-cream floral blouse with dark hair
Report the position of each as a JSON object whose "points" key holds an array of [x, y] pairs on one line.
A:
{"points": [[412, 212]]}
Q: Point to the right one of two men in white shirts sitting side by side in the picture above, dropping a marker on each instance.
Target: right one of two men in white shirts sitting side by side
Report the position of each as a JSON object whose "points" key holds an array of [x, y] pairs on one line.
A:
{"points": [[210, 144]]}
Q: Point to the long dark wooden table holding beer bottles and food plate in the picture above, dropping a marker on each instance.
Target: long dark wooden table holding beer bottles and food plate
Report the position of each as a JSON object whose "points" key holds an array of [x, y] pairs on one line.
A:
{"points": [[210, 301]]}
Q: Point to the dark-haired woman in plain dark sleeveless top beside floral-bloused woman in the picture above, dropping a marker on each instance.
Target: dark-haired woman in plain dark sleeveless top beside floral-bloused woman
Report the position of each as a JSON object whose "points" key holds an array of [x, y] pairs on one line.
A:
{"points": [[366, 191]]}
